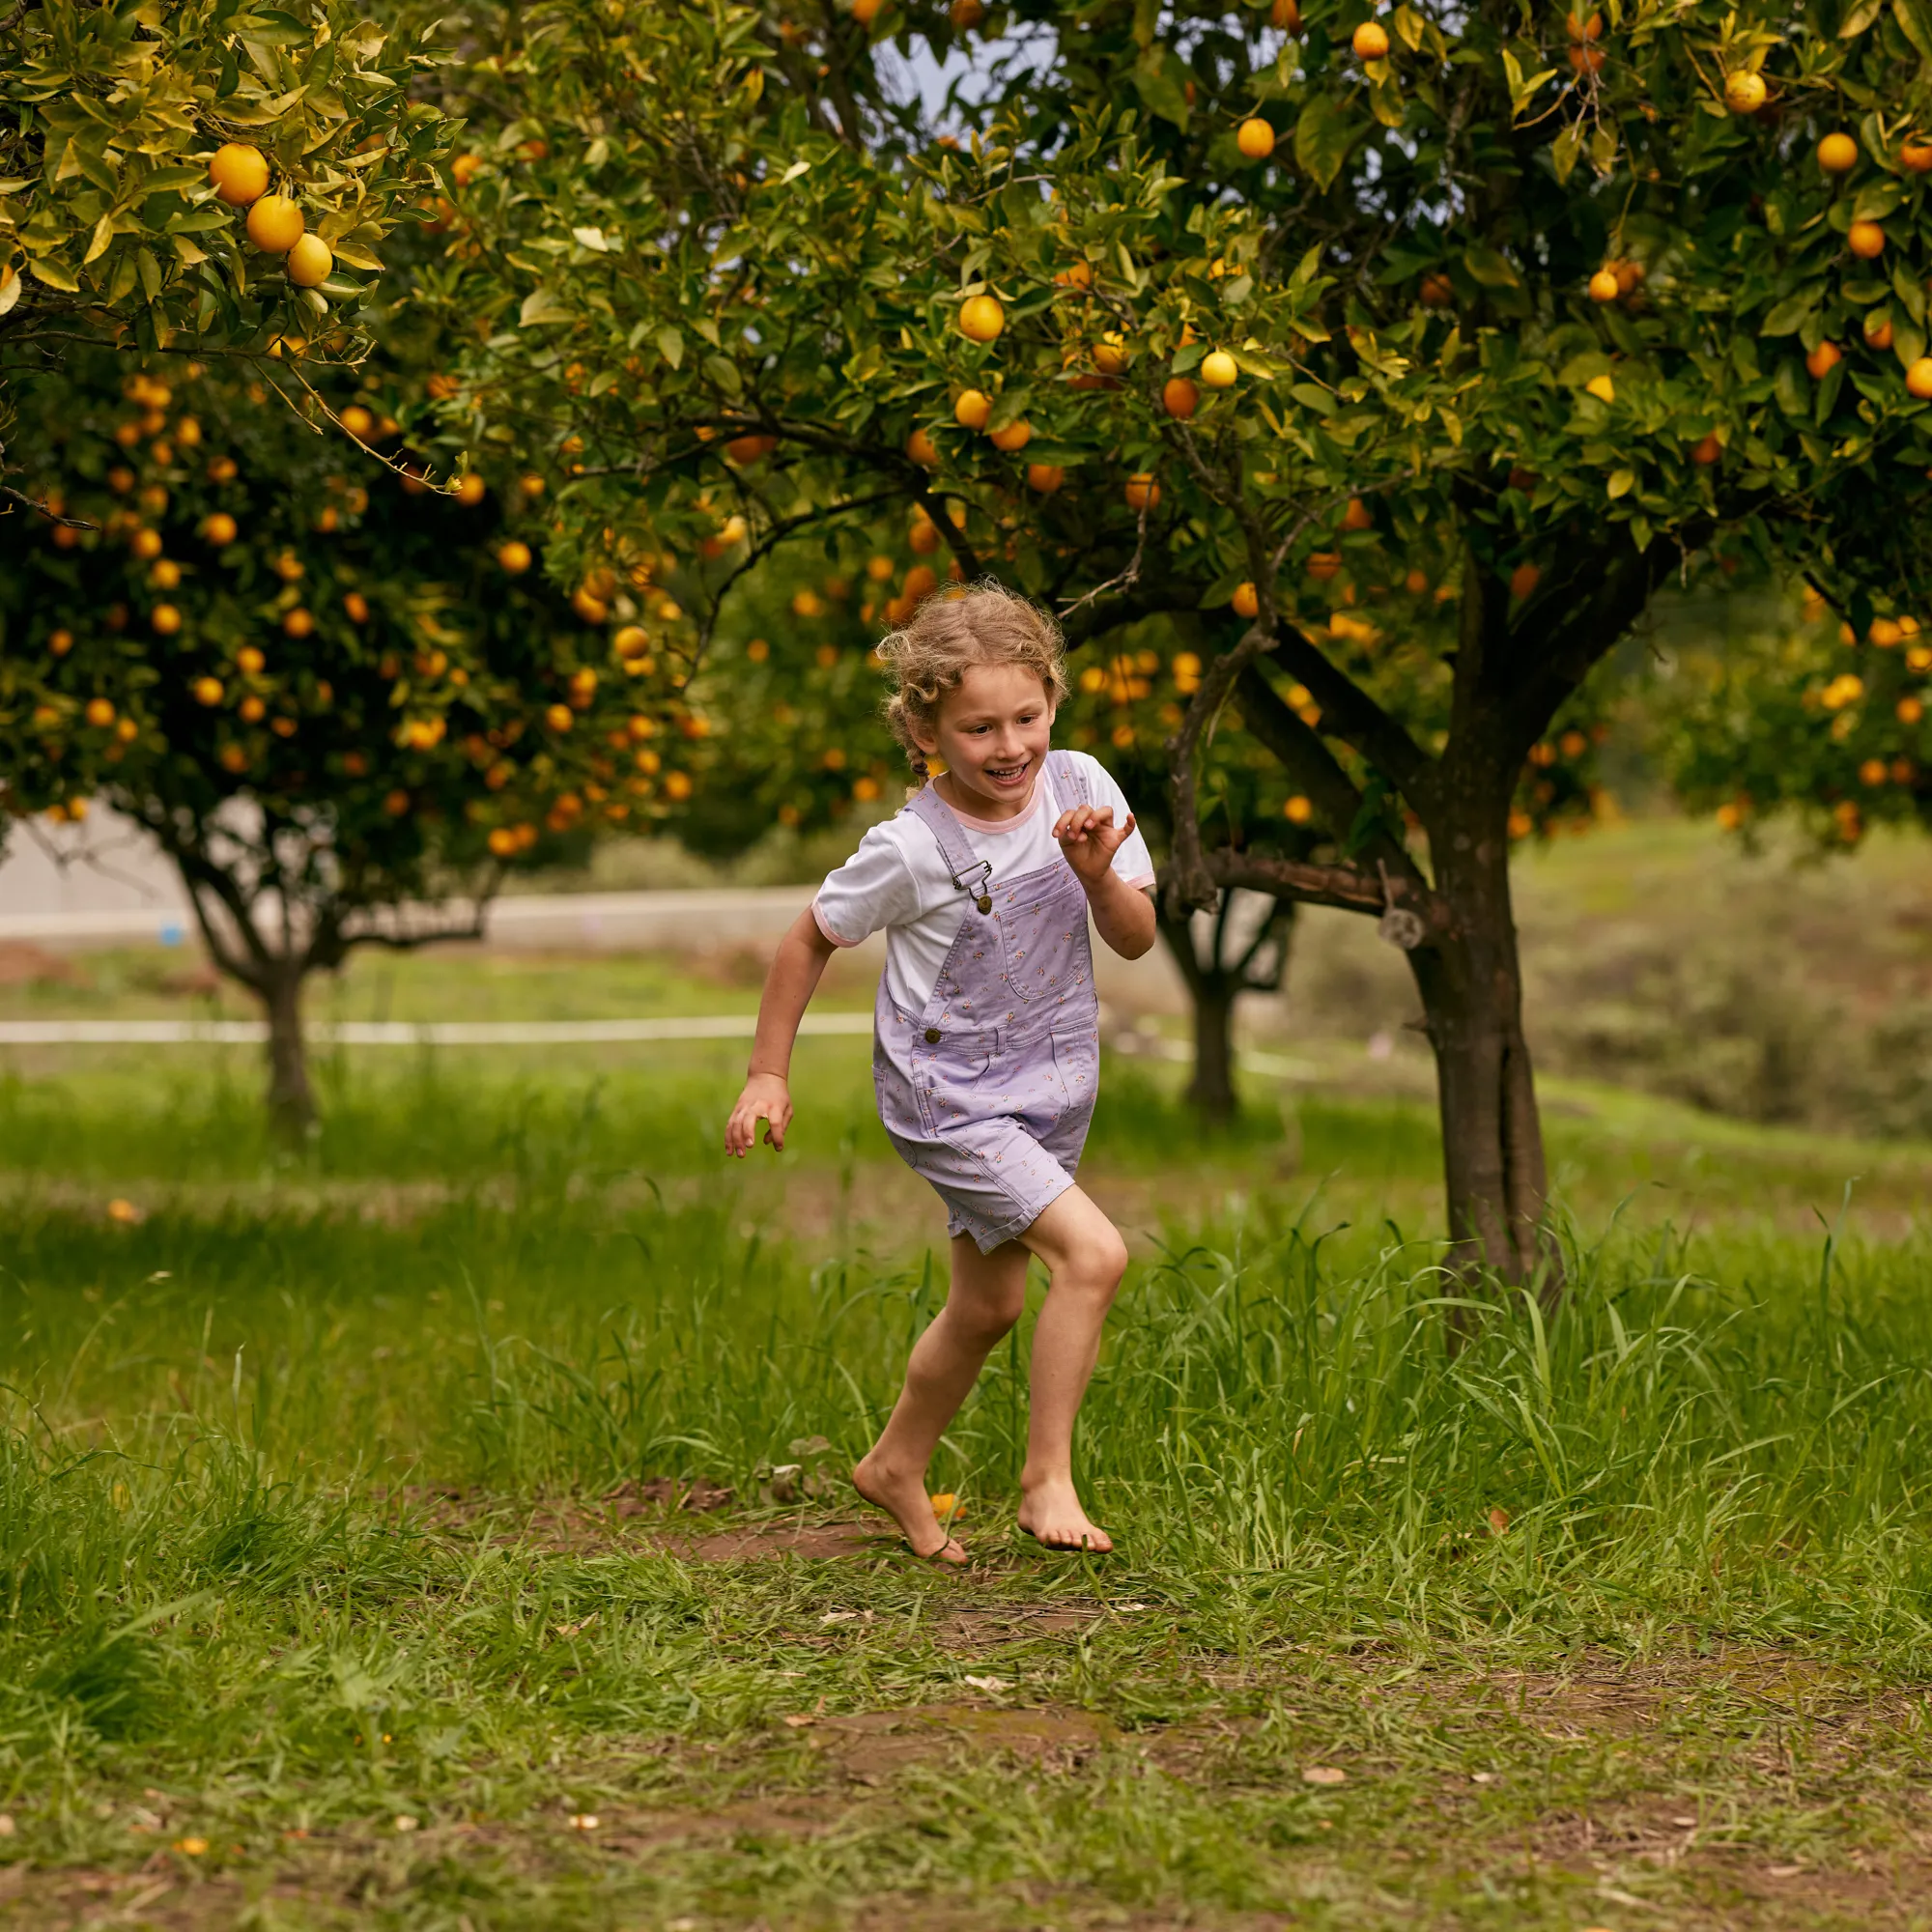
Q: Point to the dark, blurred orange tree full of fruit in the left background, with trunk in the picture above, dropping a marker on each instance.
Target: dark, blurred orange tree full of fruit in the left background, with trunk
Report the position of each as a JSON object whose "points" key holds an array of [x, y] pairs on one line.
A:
{"points": [[341, 700]]}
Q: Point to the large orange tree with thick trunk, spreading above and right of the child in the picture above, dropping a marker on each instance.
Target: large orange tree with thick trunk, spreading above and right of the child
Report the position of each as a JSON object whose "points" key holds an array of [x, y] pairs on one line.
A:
{"points": [[1433, 345]]}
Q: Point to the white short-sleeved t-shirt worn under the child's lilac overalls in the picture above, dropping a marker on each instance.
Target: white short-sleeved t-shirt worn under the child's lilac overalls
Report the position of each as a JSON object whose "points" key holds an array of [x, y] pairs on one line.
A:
{"points": [[899, 882]]}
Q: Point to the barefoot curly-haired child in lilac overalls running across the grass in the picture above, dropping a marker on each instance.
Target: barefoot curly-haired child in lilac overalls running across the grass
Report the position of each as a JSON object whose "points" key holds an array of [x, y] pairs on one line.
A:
{"points": [[986, 1040]]}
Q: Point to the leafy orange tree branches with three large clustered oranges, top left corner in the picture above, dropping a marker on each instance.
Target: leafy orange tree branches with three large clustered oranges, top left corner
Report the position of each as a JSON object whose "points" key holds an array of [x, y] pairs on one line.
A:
{"points": [[200, 175]]}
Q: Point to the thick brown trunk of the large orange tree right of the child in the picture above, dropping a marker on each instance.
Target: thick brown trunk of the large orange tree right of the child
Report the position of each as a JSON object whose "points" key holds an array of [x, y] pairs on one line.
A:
{"points": [[1471, 988]]}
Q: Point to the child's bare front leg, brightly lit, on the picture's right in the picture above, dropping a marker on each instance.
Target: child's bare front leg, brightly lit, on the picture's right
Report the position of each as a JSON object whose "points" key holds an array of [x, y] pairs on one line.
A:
{"points": [[1087, 1261]]}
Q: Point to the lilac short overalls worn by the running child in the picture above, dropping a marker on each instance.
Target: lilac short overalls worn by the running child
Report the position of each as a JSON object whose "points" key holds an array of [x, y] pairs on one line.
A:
{"points": [[990, 1091]]}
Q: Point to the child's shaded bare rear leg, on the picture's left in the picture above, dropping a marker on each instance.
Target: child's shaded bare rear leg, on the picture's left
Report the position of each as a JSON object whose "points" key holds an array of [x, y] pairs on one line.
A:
{"points": [[982, 1305]]}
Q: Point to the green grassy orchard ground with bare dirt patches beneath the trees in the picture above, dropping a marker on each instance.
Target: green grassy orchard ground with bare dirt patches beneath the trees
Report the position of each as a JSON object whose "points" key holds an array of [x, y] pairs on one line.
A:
{"points": [[445, 1531]]}
